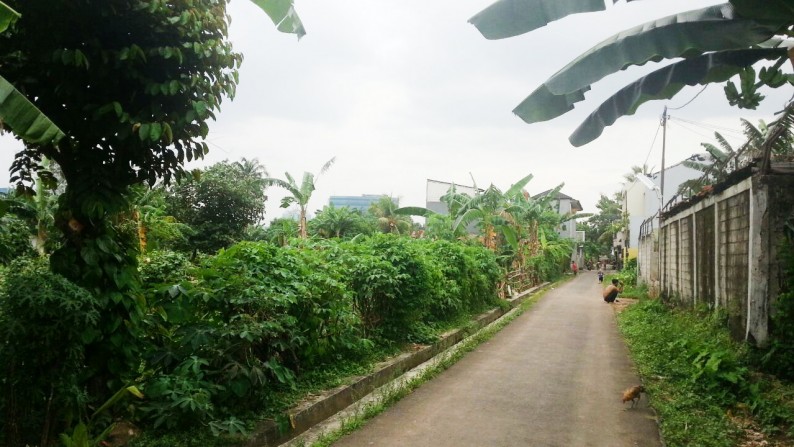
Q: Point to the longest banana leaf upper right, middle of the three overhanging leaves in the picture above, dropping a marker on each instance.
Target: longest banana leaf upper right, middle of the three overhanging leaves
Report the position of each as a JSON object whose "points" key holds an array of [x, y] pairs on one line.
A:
{"points": [[688, 34]]}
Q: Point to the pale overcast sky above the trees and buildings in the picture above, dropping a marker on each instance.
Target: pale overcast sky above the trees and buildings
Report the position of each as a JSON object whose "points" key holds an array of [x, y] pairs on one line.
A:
{"points": [[401, 91]]}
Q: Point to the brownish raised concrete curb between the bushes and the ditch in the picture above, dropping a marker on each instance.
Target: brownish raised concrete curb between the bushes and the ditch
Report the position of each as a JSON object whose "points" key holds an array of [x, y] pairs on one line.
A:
{"points": [[313, 411]]}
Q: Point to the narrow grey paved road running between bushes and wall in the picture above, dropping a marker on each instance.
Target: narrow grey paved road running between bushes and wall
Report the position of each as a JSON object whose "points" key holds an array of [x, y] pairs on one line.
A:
{"points": [[553, 377]]}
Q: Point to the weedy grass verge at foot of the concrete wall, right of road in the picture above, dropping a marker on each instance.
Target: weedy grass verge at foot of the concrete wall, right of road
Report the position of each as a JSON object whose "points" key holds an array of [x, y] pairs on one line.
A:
{"points": [[700, 382]]}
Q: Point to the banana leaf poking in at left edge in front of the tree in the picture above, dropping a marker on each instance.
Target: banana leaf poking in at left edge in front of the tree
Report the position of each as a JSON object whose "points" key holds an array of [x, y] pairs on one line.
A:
{"points": [[24, 119]]}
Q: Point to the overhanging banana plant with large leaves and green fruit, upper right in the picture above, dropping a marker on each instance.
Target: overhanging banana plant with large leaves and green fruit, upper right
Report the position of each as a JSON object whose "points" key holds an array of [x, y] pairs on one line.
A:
{"points": [[716, 43]]}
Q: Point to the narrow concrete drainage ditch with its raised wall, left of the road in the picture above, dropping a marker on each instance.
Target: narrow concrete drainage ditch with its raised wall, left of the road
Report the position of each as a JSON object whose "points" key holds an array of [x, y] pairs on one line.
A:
{"points": [[327, 412]]}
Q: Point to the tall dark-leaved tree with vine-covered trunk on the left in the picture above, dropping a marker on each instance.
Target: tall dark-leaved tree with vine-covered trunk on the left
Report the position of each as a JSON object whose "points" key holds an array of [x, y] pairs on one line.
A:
{"points": [[131, 85]]}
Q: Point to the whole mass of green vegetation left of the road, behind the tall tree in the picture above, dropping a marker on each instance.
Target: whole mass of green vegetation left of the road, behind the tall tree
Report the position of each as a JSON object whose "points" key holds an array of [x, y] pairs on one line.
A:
{"points": [[221, 338]]}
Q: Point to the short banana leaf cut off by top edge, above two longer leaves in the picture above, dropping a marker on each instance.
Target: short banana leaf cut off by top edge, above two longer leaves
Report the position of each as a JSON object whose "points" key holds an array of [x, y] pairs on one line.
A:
{"points": [[508, 18]]}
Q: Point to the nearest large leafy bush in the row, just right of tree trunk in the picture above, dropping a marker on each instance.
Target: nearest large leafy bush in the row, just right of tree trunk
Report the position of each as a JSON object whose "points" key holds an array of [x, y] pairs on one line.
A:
{"points": [[257, 316]]}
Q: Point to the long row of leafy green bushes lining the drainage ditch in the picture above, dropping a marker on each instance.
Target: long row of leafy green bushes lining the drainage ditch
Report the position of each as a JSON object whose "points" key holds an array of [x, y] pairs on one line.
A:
{"points": [[237, 332]]}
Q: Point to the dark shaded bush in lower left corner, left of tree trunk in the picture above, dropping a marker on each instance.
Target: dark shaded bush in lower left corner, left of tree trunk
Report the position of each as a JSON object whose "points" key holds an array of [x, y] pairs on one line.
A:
{"points": [[47, 324]]}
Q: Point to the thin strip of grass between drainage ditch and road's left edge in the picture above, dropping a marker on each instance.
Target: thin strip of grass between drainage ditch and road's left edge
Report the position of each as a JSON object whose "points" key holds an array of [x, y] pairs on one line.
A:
{"points": [[394, 393]]}
